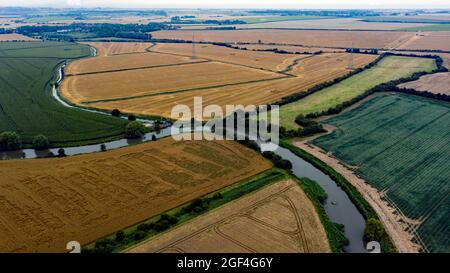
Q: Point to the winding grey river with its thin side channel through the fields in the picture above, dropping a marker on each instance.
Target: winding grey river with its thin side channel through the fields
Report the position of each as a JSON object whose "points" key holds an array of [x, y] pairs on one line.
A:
{"points": [[338, 206]]}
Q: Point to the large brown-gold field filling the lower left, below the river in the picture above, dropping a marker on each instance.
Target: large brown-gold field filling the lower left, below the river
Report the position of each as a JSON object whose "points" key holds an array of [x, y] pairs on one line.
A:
{"points": [[45, 203]]}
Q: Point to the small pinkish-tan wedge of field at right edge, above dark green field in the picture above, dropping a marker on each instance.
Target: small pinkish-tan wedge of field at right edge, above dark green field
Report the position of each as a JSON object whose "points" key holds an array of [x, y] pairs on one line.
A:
{"points": [[437, 83]]}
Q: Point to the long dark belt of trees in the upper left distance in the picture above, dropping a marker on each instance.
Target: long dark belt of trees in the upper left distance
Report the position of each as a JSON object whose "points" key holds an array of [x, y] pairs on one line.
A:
{"points": [[68, 32]]}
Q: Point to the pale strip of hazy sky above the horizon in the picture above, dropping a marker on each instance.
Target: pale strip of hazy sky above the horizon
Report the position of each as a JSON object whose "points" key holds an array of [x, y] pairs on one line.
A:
{"points": [[405, 4]]}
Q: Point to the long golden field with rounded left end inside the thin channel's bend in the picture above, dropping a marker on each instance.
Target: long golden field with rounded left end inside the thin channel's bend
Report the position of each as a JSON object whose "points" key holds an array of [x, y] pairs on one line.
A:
{"points": [[151, 81]]}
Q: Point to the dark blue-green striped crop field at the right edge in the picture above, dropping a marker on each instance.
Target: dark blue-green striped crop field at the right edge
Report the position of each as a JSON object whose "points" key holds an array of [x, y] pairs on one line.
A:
{"points": [[401, 144]]}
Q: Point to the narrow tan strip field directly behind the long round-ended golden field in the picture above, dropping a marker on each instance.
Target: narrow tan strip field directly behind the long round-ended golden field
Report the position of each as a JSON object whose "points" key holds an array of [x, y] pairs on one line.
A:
{"points": [[262, 60]]}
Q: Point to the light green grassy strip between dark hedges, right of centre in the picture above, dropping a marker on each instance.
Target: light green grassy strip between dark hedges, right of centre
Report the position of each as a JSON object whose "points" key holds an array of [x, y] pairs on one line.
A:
{"points": [[388, 69]]}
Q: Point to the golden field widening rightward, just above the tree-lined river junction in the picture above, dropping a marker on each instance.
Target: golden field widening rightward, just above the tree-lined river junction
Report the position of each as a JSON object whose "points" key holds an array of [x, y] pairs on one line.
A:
{"points": [[308, 73]]}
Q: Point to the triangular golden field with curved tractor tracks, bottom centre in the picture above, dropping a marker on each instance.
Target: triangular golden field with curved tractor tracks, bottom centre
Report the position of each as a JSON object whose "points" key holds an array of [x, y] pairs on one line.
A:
{"points": [[276, 219]]}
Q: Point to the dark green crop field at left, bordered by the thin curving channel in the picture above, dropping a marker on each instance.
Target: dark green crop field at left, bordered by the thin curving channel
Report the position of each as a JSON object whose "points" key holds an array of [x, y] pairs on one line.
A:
{"points": [[27, 106]]}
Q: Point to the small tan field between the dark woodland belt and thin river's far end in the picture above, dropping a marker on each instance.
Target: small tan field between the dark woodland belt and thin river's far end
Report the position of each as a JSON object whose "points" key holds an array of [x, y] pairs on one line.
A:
{"points": [[115, 48]]}
